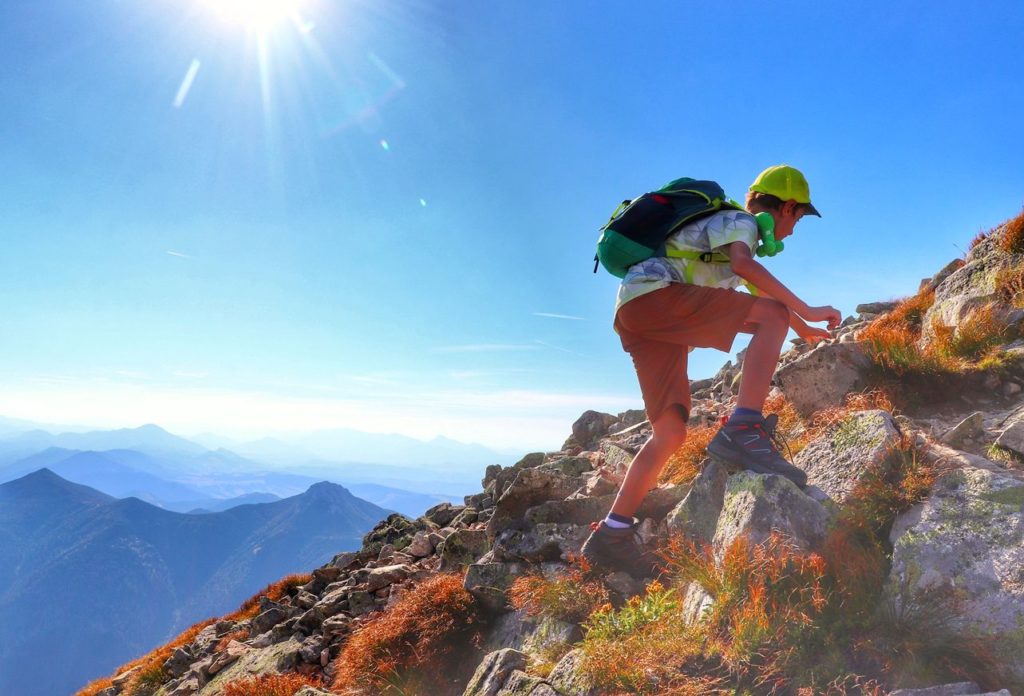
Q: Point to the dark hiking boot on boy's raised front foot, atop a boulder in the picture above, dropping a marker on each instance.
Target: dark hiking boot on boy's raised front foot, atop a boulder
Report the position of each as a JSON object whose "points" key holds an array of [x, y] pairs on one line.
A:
{"points": [[750, 443]]}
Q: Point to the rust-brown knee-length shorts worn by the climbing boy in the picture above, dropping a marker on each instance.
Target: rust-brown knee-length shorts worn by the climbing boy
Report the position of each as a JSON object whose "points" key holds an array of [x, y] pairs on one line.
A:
{"points": [[658, 329]]}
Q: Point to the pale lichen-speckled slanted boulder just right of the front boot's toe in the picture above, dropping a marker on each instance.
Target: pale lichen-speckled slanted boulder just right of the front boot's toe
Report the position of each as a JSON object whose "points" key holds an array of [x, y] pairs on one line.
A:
{"points": [[838, 460]]}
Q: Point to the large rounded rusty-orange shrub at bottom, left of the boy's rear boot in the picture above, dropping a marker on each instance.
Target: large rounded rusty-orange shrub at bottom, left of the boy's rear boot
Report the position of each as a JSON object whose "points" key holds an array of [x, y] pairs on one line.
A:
{"points": [[415, 645]]}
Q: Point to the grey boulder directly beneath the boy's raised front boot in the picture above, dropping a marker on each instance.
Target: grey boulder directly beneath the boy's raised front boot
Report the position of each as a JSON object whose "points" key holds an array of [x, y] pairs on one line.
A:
{"points": [[757, 505]]}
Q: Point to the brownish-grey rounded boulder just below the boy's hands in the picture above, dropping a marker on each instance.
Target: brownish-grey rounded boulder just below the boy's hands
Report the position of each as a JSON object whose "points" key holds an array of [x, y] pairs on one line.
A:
{"points": [[823, 377]]}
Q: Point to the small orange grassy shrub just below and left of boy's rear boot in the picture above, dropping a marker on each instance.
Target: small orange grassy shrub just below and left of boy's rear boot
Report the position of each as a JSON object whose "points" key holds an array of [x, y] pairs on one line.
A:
{"points": [[571, 596]]}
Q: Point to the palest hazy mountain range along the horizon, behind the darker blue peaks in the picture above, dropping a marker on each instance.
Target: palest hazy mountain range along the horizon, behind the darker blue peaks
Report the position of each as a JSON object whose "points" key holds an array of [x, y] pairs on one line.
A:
{"points": [[222, 468]]}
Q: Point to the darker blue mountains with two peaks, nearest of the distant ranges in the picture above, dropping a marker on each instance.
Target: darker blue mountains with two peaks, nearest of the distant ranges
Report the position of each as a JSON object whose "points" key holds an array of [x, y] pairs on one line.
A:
{"points": [[89, 582]]}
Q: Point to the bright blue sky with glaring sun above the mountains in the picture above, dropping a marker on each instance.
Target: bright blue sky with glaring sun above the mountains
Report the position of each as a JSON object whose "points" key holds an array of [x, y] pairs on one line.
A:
{"points": [[382, 215]]}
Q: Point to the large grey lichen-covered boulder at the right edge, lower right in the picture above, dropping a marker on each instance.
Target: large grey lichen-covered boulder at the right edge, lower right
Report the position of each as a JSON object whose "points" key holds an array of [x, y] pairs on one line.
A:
{"points": [[967, 539]]}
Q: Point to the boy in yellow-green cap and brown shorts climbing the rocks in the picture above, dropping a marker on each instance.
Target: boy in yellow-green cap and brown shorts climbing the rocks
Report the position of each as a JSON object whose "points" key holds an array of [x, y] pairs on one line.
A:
{"points": [[668, 306]]}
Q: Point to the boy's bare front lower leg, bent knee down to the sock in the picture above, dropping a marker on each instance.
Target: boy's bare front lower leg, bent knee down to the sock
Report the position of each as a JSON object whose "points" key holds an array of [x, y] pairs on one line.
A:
{"points": [[770, 322]]}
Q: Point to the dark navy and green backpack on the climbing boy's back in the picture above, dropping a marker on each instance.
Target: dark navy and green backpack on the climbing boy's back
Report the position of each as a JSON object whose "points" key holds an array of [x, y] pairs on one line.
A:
{"points": [[639, 229]]}
